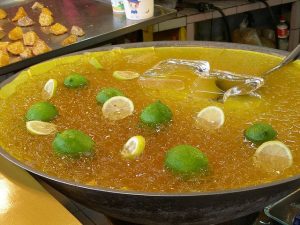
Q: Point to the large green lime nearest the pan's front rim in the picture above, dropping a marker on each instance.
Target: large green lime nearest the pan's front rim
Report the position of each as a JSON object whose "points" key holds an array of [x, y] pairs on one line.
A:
{"points": [[186, 160]]}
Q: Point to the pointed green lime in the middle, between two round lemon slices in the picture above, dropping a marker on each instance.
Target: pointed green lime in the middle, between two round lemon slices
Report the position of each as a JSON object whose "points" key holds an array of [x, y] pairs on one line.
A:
{"points": [[155, 114]]}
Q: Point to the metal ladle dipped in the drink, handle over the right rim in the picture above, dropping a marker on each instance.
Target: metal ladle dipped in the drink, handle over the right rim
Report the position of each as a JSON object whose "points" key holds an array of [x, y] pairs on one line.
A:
{"points": [[252, 84]]}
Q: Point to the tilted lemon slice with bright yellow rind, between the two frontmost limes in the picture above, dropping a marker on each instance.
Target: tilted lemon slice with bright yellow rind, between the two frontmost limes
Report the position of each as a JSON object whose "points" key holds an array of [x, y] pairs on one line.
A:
{"points": [[133, 147]]}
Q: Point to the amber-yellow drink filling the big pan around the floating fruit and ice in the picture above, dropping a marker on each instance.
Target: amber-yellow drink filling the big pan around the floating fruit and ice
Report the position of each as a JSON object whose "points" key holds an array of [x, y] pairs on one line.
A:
{"points": [[230, 157]]}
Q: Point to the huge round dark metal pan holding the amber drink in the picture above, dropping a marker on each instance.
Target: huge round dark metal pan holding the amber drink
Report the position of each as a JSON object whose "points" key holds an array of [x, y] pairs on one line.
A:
{"points": [[173, 208]]}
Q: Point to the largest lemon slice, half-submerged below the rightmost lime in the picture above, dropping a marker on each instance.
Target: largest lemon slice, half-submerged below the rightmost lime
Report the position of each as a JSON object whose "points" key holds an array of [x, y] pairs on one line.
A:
{"points": [[273, 156]]}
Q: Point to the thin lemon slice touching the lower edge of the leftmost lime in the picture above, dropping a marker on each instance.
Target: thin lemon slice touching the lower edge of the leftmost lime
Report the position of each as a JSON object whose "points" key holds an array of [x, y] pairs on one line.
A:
{"points": [[40, 127]]}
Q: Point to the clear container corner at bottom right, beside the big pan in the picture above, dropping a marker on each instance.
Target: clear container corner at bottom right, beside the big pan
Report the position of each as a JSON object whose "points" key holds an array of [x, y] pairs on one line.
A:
{"points": [[285, 210]]}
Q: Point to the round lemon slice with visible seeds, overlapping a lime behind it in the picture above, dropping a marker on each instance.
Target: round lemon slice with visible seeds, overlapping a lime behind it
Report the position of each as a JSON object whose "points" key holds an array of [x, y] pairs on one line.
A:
{"points": [[117, 108]]}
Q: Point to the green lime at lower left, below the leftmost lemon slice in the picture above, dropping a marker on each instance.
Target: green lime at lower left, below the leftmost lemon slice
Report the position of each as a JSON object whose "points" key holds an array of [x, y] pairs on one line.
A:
{"points": [[73, 143]]}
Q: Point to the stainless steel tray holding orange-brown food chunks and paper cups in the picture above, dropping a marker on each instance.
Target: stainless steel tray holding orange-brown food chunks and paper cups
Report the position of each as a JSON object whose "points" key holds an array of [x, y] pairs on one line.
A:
{"points": [[96, 18]]}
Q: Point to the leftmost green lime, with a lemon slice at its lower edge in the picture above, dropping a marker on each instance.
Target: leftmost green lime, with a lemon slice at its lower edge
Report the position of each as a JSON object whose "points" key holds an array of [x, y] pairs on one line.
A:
{"points": [[41, 111]]}
